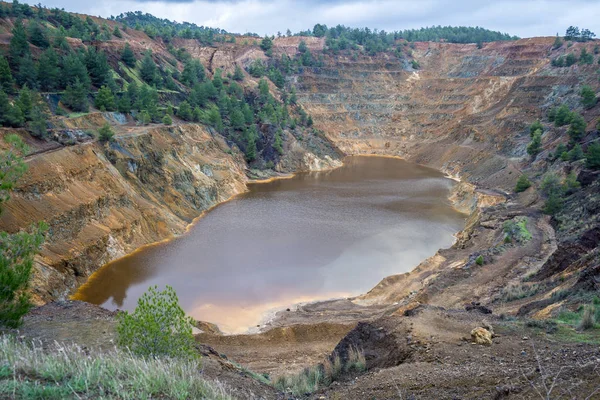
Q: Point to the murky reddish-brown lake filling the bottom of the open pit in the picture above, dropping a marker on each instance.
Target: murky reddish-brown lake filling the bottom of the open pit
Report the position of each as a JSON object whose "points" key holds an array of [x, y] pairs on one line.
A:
{"points": [[315, 236]]}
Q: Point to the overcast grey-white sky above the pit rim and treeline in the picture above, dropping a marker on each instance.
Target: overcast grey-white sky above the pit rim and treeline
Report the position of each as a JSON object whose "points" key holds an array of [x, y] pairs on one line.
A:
{"points": [[524, 18]]}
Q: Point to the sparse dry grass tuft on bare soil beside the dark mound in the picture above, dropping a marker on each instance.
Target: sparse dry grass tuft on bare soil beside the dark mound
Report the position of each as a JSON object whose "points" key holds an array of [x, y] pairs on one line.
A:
{"points": [[311, 379]]}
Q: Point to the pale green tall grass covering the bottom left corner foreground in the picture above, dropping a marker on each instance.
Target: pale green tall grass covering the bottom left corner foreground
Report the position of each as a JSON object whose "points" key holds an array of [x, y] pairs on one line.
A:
{"points": [[67, 372]]}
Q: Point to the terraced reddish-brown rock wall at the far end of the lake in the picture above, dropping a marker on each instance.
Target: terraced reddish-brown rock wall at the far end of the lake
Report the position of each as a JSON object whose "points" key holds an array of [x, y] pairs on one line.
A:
{"points": [[466, 111]]}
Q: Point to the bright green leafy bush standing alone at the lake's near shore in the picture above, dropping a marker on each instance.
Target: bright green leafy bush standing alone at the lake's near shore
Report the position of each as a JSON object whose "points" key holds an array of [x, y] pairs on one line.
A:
{"points": [[157, 327]]}
